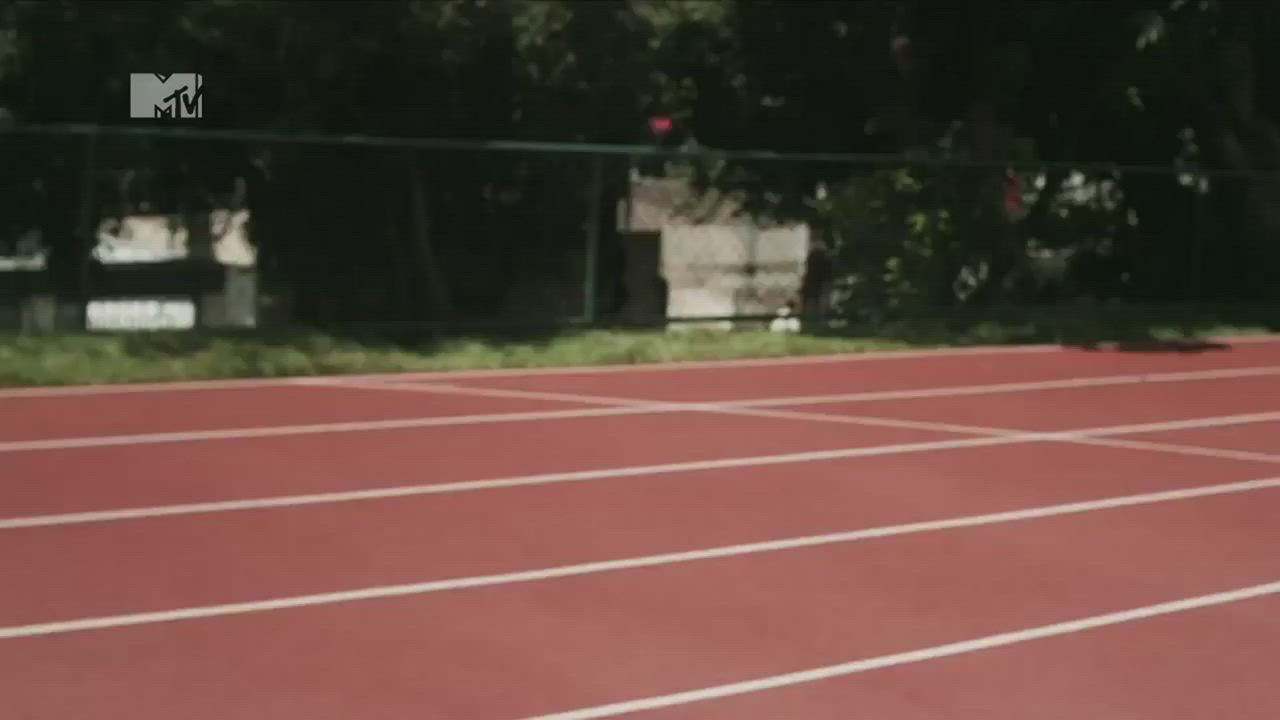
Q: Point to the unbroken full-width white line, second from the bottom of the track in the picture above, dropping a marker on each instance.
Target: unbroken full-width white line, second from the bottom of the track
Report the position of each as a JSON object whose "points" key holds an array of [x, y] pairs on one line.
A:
{"points": [[632, 563]]}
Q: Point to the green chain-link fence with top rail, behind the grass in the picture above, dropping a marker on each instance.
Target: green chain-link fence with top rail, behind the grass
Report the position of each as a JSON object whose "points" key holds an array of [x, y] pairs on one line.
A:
{"points": [[158, 227]]}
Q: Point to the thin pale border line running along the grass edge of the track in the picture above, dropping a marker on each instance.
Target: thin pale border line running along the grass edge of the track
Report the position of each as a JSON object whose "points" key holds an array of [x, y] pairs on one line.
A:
{"points": [[62, 391]]}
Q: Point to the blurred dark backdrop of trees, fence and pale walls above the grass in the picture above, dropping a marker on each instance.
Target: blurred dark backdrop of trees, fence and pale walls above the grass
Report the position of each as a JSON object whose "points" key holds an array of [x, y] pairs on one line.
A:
{"points": [[447, 167]]}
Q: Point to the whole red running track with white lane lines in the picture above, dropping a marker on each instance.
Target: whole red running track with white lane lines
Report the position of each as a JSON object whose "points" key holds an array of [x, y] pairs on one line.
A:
{"points": [[988, 535]]}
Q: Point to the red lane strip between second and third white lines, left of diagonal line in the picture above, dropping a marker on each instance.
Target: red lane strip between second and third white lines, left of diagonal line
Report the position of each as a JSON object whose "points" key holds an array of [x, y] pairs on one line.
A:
{"points": [[99, 479]]}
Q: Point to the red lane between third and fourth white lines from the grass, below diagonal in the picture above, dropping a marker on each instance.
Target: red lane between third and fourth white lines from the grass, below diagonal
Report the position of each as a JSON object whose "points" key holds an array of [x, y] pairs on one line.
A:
{"points": [[180, 562]]}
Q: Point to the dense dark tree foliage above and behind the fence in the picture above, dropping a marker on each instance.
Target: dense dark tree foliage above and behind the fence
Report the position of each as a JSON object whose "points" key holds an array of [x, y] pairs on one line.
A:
{"points": [[976, 99]]}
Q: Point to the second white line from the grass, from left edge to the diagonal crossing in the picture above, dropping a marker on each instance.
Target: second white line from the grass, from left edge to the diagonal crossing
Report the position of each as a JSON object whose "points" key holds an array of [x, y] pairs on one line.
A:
{"points": [[350, 427]]}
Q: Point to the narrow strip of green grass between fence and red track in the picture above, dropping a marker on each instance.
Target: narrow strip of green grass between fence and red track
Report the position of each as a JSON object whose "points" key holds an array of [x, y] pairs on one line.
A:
{"points": [[83, 359]]}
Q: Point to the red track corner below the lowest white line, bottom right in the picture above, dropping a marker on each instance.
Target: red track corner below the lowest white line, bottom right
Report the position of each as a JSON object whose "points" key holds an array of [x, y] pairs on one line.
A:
{"points": [[1209, 663]]}
